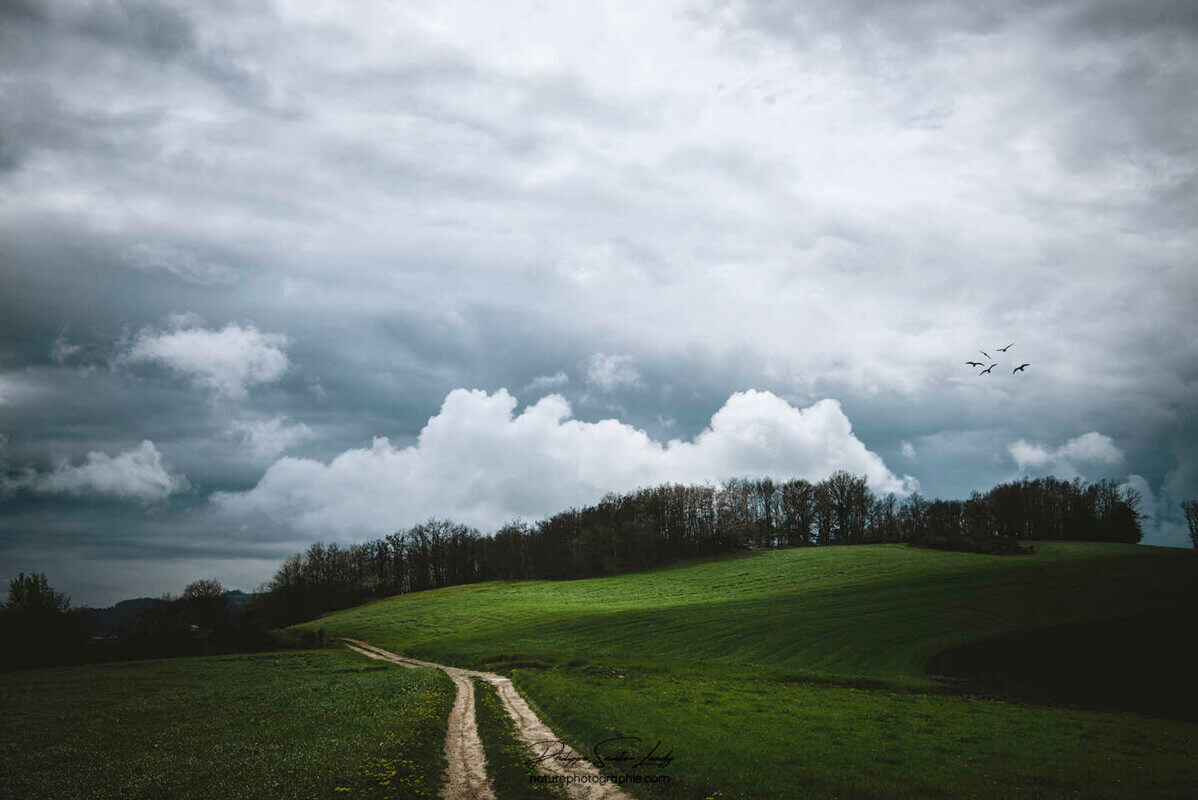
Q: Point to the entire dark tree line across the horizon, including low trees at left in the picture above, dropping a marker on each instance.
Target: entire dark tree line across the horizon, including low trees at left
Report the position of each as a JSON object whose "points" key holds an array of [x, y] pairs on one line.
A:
{"points": [[622, 532]]}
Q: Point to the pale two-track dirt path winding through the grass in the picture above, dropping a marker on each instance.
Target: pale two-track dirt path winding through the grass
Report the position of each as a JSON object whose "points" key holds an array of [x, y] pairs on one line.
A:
{"points": [[467, 778]]}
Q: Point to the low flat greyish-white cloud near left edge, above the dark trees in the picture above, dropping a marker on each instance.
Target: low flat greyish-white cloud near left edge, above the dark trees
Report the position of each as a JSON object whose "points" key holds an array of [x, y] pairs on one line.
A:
{"points": [[140, 474]]}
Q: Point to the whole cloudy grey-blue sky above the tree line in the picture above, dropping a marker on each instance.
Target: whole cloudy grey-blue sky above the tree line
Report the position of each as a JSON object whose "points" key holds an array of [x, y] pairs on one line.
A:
{"points": [[283, 272]]}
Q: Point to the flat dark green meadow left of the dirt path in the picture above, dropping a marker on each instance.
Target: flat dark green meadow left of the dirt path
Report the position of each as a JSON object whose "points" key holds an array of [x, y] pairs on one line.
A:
{"points": [[277, 725]]}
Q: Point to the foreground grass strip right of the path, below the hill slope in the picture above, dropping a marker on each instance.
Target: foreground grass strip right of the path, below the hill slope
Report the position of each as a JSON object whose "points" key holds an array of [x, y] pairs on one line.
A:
{"points": [[773, 740]]}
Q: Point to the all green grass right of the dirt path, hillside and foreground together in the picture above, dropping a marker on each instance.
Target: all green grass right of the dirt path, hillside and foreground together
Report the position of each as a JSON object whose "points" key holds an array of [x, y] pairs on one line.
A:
{"points": [[798, 674]]}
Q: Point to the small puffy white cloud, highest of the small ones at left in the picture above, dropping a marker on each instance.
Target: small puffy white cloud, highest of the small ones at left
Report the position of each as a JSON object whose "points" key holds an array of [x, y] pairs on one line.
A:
{"points": [[227, 362]]}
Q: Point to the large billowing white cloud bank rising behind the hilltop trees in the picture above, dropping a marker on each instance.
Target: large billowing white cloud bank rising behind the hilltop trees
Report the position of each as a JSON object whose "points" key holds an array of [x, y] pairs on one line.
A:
{"points": [[481, 463]]}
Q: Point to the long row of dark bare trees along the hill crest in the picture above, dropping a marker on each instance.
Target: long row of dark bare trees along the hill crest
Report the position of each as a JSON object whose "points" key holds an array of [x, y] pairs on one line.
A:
{"points": [[659, 525]]}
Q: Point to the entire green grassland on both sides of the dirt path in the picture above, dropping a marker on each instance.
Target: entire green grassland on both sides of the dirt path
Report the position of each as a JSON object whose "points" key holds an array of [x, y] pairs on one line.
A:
{"points": [[766, 676]]}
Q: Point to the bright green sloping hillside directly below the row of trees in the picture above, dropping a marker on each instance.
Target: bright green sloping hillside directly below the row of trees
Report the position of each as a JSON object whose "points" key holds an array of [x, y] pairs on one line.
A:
{"points": [[870, 611]]}
